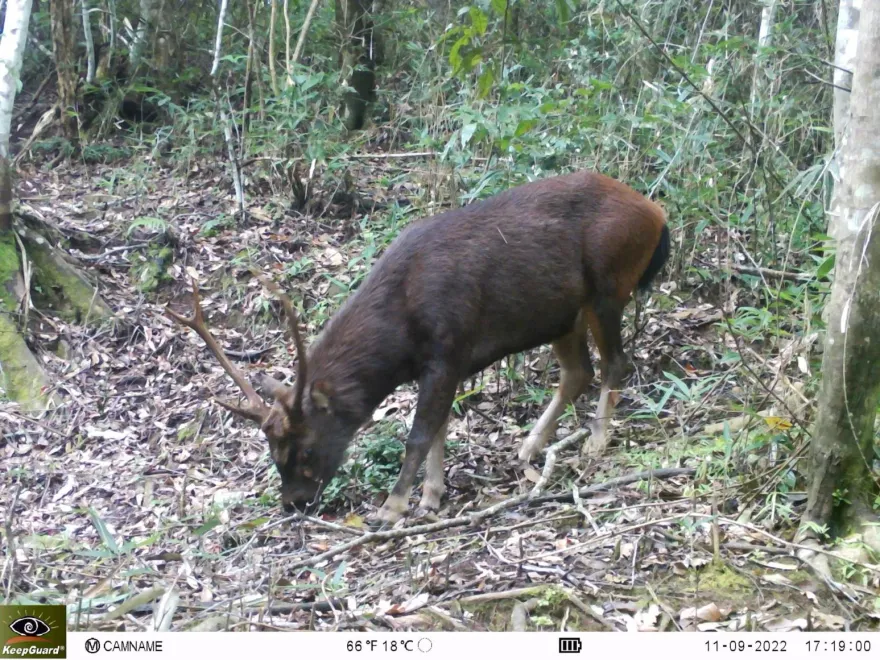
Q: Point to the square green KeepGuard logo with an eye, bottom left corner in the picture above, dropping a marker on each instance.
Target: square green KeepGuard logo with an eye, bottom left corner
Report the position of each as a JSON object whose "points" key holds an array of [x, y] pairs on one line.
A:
{"points": [[33, 631]]}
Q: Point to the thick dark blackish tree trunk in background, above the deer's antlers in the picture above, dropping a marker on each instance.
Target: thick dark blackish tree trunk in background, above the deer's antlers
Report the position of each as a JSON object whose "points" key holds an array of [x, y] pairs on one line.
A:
{"points": [[358, 60]]}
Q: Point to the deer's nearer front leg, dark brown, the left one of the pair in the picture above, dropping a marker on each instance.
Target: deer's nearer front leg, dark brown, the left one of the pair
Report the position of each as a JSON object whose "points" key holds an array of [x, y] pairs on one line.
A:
{"points": [[436, 392]]}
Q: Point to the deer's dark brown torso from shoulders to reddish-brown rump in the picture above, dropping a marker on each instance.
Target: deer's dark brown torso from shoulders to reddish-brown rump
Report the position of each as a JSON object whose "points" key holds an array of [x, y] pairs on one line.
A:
{"points": [[512, 272]]}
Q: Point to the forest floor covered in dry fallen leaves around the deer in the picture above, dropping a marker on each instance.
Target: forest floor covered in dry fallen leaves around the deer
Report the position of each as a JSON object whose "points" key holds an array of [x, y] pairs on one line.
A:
{"points": [[141, 486]]}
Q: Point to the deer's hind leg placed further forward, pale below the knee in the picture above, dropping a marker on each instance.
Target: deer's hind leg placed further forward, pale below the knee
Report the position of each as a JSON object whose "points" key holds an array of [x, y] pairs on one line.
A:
{"points": [[576, 372]]}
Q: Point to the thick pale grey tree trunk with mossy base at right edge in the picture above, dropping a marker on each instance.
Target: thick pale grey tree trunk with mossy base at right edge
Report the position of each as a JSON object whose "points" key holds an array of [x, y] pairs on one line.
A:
{"points": [[841, 491]]}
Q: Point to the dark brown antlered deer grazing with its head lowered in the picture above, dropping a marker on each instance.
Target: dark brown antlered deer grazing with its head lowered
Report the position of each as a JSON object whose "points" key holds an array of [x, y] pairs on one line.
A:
{"points": [[547, 262]]}
